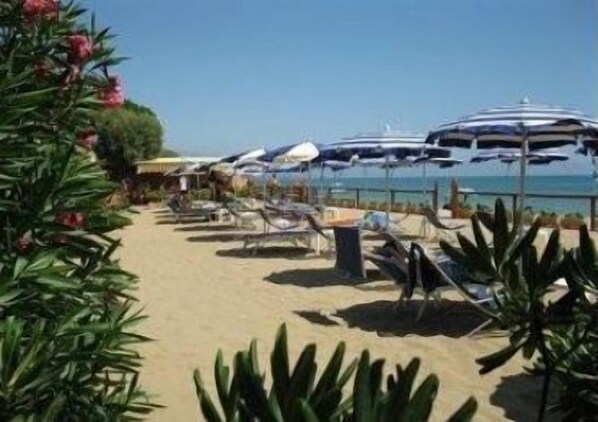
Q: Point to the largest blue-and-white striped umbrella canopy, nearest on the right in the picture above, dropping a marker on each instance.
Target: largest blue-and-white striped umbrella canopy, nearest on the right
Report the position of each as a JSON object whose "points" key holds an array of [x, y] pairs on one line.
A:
{"points": [[541, 126]]}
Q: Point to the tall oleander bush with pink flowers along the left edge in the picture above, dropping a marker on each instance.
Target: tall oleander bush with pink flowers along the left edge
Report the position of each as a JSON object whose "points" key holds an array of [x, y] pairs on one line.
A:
{"points": [[67, 326]]}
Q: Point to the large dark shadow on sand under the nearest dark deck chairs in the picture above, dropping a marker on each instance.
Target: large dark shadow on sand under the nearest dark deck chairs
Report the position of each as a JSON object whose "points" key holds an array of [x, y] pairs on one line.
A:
{"points": [[452, 319]]}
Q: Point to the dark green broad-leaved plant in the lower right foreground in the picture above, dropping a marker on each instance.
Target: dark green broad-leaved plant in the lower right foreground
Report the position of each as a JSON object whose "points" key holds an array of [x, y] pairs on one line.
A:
{"points": [[558, 329]]}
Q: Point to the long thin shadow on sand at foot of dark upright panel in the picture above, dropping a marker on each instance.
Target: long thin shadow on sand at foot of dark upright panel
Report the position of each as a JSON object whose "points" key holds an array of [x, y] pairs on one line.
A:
{"points": [[318, 277]]}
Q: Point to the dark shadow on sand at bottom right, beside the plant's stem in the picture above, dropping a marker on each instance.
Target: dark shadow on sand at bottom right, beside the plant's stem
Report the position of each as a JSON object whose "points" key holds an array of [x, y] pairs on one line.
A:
{"points": [[519, 396]]}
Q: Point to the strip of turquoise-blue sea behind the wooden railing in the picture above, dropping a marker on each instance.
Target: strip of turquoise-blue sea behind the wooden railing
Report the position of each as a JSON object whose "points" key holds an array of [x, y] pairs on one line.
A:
{"points": [[567, 185]]}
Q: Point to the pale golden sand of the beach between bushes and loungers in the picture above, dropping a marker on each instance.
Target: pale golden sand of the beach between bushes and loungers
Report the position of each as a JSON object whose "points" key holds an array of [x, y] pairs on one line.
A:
{"points": [[202, 292]]}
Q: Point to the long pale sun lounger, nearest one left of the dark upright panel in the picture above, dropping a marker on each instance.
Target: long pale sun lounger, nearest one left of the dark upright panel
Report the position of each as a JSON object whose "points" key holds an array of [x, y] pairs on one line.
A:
{"points": [[284, 230]]}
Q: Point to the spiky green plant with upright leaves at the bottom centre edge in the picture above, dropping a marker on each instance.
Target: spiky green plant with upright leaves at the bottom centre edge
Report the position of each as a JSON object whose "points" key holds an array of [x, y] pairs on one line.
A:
{"points": [[299, 395]]}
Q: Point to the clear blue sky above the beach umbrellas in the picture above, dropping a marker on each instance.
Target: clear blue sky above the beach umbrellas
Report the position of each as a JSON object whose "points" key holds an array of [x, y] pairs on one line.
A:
{"points": [[228, 75]]}
